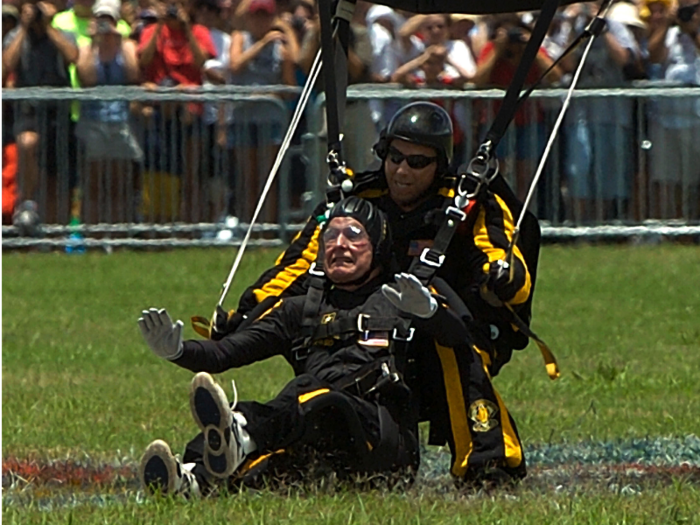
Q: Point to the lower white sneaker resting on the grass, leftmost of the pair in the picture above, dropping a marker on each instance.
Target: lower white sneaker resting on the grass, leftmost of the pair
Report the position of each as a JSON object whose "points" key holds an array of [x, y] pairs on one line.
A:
{"points": [[161, 472]]}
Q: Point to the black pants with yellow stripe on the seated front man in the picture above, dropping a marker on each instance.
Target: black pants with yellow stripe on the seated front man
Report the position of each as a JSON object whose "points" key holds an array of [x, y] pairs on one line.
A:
{"points": [[311, 426]]}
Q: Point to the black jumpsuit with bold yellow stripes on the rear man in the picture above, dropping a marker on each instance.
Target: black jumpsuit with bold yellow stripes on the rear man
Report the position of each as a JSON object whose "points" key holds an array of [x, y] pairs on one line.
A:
{"points": [[456, 393]]}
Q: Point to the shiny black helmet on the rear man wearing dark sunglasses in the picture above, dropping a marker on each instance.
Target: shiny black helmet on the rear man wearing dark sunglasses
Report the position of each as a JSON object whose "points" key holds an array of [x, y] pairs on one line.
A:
{"points": [[422, 123]]}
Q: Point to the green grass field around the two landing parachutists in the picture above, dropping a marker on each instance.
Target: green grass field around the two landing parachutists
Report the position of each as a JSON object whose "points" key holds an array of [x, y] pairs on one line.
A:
{"points": [[79, 384]]}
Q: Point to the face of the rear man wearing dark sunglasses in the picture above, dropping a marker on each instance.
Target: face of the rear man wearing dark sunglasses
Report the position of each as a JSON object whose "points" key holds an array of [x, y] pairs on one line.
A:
{"points": [[407, 185]]}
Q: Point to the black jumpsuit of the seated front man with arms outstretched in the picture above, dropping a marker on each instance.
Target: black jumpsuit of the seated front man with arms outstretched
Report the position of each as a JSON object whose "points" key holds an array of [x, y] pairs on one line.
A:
{"points": [[357, 433]]}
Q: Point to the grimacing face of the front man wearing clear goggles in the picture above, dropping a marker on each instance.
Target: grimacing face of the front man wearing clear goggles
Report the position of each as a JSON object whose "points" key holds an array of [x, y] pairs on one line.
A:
{"points": [[348, 254]]}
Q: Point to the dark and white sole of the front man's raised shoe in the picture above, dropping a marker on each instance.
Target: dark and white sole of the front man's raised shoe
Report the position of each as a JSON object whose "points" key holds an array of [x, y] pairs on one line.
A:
{"points": [[212, 413]]}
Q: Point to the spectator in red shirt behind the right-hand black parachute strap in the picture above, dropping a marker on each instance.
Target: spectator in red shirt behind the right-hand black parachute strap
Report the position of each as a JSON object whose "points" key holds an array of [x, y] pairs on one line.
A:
{"points": [[495, 68]]}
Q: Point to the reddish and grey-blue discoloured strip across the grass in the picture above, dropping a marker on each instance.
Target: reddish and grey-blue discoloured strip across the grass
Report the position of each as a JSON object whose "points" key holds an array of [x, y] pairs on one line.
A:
{"points": [[631, 467]]}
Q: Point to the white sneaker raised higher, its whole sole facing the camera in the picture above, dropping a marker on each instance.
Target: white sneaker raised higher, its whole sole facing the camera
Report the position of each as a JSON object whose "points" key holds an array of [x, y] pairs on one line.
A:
{"points": [[226, 442]]}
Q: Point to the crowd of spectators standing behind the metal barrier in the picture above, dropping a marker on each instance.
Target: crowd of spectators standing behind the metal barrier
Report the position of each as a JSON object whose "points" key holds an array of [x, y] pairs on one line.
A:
{"points": [[182, 43]]}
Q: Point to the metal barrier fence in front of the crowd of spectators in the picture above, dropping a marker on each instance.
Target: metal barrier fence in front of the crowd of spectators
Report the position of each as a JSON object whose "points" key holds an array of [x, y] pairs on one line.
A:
{"points": [[128, 167]]}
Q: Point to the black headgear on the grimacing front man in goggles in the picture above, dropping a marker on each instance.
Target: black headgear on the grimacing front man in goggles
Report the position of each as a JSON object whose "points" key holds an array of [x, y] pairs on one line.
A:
{"points": [[375, 222]]}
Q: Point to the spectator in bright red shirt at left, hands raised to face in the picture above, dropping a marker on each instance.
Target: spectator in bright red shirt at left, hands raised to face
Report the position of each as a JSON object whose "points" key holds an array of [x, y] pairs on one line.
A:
{"points": [[172, 53]]}
